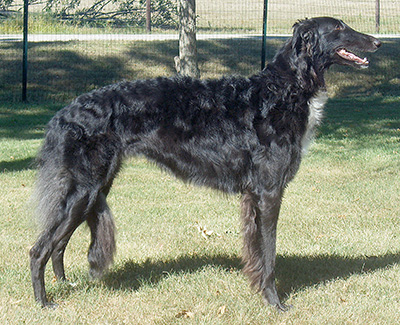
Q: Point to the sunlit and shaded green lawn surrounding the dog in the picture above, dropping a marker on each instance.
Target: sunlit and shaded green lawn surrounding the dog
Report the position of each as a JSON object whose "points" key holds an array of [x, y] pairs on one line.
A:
{"points": [[178, 257]]}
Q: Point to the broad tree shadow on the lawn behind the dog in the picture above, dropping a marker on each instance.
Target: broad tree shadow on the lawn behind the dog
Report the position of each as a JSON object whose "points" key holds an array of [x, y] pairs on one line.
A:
{"points": [[58, 72]]}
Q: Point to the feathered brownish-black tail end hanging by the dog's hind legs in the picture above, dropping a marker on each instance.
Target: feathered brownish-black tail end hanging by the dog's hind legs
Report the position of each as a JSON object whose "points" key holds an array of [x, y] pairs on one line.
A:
{"points": [[102, 228]]}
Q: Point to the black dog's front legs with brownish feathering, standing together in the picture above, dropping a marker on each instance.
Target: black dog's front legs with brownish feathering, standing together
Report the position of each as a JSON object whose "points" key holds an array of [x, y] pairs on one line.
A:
{"points": [[260, 217]]}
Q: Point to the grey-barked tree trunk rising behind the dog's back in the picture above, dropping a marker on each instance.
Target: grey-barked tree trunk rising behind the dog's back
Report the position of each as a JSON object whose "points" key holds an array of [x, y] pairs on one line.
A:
{"points": [[186, 63]]}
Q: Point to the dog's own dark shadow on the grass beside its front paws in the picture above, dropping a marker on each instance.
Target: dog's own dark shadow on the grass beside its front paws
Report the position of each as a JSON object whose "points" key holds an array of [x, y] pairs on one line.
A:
{"points": [[293, 272]]}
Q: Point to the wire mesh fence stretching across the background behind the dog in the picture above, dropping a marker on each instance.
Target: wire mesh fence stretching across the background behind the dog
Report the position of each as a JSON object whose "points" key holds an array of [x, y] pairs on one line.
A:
{"points": [[77, 45]]}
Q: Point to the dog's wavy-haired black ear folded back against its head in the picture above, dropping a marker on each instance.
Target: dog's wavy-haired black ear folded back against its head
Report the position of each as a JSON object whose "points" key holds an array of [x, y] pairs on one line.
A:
{"points": [[304, 36]]}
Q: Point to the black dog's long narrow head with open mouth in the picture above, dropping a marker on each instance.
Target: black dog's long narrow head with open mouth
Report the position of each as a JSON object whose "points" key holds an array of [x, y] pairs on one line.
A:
{"points": [[332, 41]]}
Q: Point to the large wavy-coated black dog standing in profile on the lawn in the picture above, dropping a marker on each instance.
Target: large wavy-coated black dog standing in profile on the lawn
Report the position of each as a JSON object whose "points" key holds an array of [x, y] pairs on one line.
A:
{"points": [[233, 134]]}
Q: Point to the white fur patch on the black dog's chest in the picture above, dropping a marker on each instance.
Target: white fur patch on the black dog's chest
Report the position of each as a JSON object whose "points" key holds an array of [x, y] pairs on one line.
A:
{"points": [[315, 105]]}
